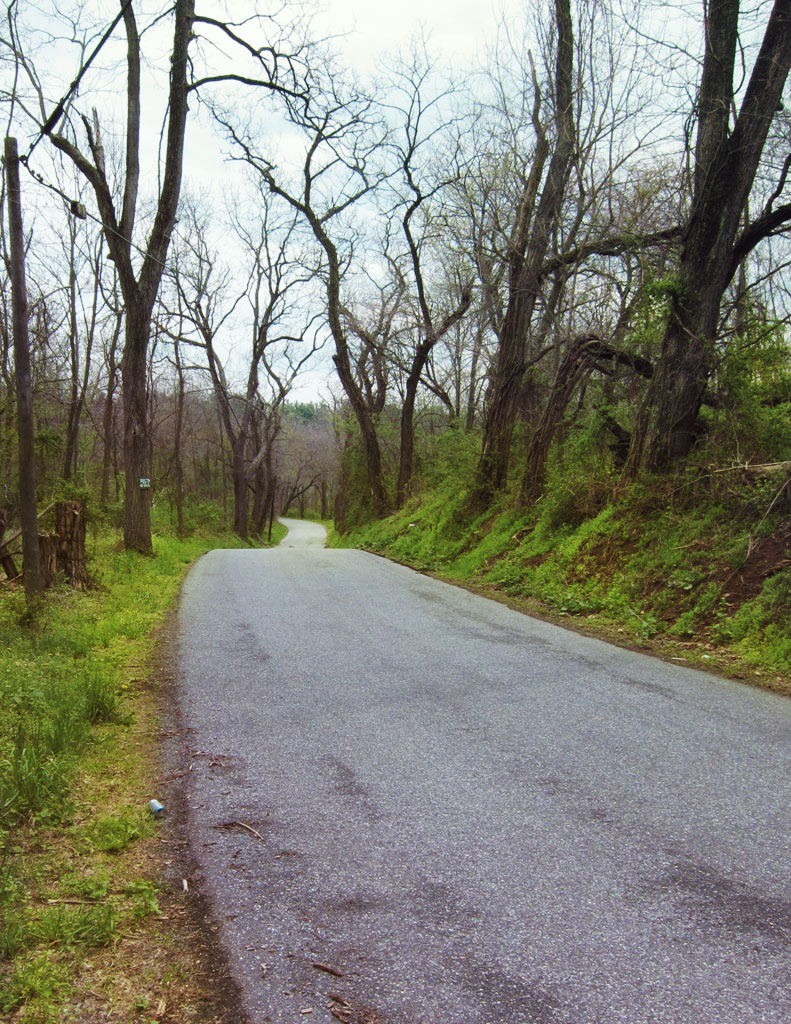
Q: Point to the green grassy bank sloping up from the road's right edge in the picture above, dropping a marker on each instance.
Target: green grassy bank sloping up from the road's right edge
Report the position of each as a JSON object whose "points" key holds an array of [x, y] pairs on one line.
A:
{"points": [[694, 577]]}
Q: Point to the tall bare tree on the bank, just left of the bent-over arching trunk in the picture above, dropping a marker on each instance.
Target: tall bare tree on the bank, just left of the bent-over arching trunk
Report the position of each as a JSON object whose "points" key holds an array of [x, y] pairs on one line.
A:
{"points": [[534, 243]]}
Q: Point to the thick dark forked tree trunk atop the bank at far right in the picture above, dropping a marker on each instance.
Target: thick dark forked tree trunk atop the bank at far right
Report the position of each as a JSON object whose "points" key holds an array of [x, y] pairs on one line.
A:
{"points": [[727, 162]]}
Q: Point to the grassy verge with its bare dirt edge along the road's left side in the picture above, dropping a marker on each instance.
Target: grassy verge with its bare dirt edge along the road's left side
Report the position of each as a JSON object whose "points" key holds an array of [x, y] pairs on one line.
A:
{"points": [[91, 930]]}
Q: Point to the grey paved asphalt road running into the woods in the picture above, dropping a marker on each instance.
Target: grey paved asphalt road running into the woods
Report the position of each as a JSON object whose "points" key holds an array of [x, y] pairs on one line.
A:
{"points": [[474, 817]]}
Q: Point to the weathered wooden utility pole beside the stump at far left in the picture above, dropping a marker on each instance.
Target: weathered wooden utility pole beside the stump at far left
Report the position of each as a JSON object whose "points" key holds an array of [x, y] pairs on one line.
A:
{"points": [[28, 513]]}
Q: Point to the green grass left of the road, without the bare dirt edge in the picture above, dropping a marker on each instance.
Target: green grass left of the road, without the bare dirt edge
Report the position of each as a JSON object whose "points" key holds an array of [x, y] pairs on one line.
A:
{"points": [[76, 751]]}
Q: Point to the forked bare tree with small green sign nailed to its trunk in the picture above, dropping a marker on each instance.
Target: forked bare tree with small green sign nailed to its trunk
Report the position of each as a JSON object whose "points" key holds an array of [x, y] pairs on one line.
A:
{"points": [[118, 205]]}
